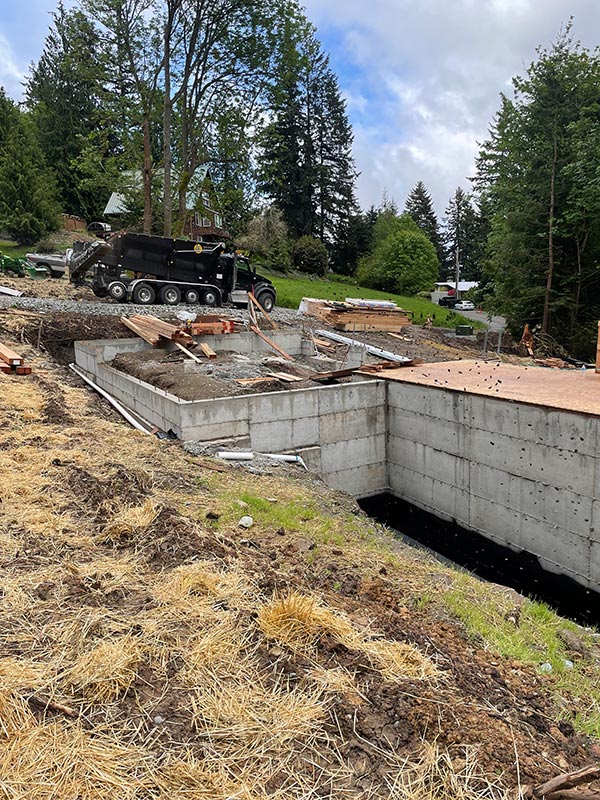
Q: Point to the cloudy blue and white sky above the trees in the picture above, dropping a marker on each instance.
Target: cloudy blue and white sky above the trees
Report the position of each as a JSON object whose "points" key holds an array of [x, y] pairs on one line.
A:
{"points": [[421, 78]]}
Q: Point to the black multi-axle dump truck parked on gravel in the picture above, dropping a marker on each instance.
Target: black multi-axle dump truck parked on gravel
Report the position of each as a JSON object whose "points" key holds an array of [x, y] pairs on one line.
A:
{"points": [[143, 269]]}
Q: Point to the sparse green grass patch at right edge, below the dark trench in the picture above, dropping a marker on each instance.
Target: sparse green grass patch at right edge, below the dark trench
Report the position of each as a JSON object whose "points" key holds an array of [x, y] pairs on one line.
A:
{"points": [[530, 634]]}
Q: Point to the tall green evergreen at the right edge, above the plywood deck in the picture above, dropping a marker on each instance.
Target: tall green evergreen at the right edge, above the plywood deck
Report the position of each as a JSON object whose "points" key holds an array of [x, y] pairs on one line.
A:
{"points": [[538, 175]]}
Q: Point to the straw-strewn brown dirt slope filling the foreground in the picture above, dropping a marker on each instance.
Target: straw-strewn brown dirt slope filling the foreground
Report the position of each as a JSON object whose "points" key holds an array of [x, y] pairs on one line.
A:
{"points": [[149, 651]]}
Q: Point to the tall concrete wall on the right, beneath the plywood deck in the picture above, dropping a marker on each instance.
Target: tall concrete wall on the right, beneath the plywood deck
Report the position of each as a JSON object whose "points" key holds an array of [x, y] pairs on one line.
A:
{"points": [[524, 476]]}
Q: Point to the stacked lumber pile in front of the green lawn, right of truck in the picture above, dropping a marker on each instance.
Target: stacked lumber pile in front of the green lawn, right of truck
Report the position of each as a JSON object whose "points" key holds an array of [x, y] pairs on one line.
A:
{"points": [[357, 315]]}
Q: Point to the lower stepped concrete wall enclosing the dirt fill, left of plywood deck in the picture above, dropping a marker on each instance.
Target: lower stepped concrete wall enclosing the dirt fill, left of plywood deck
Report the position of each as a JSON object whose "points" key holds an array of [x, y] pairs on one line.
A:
{"points": [[339, 430]]}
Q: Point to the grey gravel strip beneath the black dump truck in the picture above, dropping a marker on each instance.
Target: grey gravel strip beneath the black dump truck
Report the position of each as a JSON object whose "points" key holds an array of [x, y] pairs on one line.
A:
{"points": [[49, 305]]}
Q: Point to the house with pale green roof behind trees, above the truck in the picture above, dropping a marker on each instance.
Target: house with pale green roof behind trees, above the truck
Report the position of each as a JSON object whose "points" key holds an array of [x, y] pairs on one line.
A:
{"points": [[204, 213]]}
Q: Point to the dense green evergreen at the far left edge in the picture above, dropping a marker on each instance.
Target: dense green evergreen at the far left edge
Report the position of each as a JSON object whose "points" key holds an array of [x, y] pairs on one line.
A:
{"points": [[28, 208]]}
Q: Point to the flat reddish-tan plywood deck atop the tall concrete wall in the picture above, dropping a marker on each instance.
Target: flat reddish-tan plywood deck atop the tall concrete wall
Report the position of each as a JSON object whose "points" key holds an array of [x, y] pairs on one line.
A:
{"points": [[565, 390]]}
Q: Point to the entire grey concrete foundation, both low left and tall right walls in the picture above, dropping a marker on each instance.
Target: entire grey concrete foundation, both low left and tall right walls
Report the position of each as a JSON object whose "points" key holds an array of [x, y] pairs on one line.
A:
{"points": [[525, 476]]}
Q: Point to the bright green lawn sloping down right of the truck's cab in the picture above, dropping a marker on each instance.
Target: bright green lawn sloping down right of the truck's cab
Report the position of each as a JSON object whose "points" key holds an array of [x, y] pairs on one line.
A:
{"points": [[291, 290]]}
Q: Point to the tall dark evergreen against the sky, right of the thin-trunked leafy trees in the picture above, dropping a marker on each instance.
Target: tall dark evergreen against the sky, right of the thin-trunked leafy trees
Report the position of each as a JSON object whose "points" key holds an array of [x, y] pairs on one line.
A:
{"points": [[306, 163]]}
